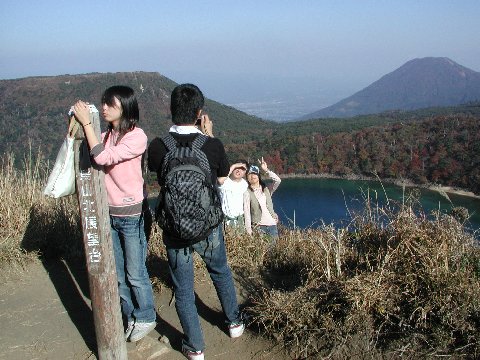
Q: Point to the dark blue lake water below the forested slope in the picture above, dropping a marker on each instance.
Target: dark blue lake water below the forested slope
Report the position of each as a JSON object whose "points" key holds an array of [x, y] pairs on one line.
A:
{"points": [[311, 201]]}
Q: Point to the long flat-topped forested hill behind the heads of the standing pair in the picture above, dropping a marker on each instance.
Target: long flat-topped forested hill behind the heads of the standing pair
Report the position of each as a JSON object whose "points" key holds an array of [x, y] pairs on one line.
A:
{"points": [[33, 110]]}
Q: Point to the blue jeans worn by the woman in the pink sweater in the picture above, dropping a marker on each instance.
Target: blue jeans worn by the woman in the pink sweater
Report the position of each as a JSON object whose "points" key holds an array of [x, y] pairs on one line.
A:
{"points": [[134, 286]]}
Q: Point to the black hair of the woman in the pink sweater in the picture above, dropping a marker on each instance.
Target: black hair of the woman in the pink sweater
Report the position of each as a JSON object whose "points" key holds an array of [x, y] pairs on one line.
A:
{"points": [[128, 102]]}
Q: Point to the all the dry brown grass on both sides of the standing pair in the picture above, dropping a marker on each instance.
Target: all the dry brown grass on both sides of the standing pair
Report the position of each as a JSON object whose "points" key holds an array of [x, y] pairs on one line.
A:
{"points": [[393, 283]]}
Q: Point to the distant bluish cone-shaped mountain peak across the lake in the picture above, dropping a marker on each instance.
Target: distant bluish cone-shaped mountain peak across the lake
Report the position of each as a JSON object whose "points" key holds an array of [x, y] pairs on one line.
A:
{"points": [[419, 83]]}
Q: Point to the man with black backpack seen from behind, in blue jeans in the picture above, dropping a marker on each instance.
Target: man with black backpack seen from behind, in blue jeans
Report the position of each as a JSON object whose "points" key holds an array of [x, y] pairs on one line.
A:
{"points": [[190, 164]]}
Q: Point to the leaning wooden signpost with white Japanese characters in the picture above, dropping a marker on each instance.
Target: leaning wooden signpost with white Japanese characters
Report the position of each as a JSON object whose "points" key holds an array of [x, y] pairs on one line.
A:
{"points": [[102, 278]]}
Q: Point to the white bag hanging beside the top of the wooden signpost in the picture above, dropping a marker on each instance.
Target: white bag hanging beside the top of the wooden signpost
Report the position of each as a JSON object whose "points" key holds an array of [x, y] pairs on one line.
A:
{"points": [[61, 181]]}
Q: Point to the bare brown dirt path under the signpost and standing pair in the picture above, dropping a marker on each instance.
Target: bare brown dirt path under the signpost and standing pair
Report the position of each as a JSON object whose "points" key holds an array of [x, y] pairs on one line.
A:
{"points": [[45, 314]]}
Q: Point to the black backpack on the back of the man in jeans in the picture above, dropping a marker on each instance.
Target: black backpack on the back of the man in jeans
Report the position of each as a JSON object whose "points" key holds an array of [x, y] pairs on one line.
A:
{"points": [[189, 206]]}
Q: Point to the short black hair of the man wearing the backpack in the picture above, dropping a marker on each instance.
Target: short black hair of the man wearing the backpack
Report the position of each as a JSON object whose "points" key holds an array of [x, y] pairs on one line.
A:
{"points": [[185, 103]]}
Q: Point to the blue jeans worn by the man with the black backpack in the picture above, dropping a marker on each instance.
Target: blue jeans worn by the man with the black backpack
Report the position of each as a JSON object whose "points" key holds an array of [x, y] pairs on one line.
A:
{"points": [[180, 261]]}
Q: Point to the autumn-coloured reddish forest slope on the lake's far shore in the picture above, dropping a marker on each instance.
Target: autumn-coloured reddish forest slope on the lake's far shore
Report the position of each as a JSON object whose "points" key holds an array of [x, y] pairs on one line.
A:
{"points": [[443, 149]]}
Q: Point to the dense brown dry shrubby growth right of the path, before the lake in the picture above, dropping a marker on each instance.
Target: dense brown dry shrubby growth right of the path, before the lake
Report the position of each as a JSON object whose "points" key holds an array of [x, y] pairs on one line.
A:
{"points": [[399, 282]]}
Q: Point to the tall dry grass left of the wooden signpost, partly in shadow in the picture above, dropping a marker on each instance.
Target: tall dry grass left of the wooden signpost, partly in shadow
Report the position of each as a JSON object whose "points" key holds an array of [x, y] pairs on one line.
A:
{"points": [[32, 224]]}
